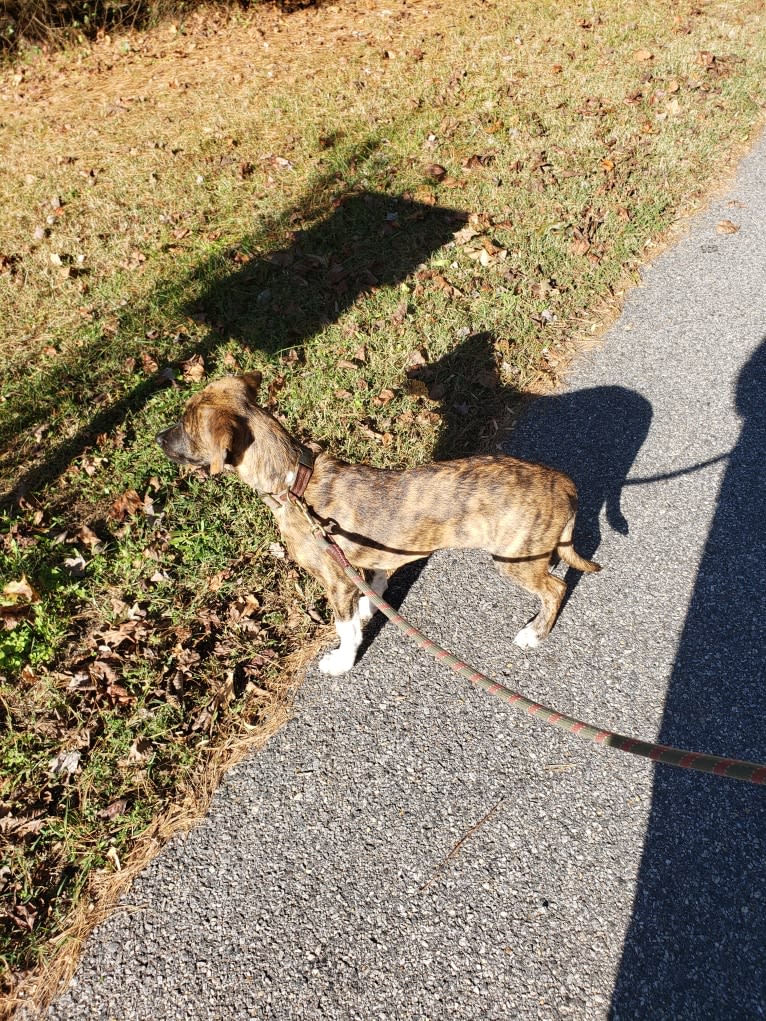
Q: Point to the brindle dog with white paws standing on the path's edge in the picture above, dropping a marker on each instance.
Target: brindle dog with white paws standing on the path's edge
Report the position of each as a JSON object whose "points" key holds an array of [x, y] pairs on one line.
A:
{"points": [[521, 513]]}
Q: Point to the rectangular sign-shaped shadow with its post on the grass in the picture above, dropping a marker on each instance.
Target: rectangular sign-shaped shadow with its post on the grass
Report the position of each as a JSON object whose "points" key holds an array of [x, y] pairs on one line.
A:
{"points": [[267, 303]]}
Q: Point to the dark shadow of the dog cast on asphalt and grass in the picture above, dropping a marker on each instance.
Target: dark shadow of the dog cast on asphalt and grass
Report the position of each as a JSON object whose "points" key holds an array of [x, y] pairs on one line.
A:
{"points": [[592, 434]]}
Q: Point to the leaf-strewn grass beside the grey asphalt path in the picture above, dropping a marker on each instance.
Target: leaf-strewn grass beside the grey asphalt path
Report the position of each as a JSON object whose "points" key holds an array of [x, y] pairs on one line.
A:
{"points": [[407, 218]]}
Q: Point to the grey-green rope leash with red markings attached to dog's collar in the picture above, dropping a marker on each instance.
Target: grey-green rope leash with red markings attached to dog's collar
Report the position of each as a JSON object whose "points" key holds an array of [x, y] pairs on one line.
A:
{"points": [[736, 769]]}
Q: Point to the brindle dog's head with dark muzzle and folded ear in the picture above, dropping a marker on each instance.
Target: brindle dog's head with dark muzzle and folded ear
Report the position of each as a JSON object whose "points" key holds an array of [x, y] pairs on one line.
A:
{"points": [[215, 430]]}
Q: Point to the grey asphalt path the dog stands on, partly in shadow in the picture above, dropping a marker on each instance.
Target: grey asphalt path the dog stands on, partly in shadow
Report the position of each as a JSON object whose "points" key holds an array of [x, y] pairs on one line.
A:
{"points": [[409, 848]]}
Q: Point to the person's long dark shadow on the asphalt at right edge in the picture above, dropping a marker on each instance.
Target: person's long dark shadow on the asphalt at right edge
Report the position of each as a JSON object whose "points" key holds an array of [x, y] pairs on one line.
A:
{"points": [[697, 943]]}
